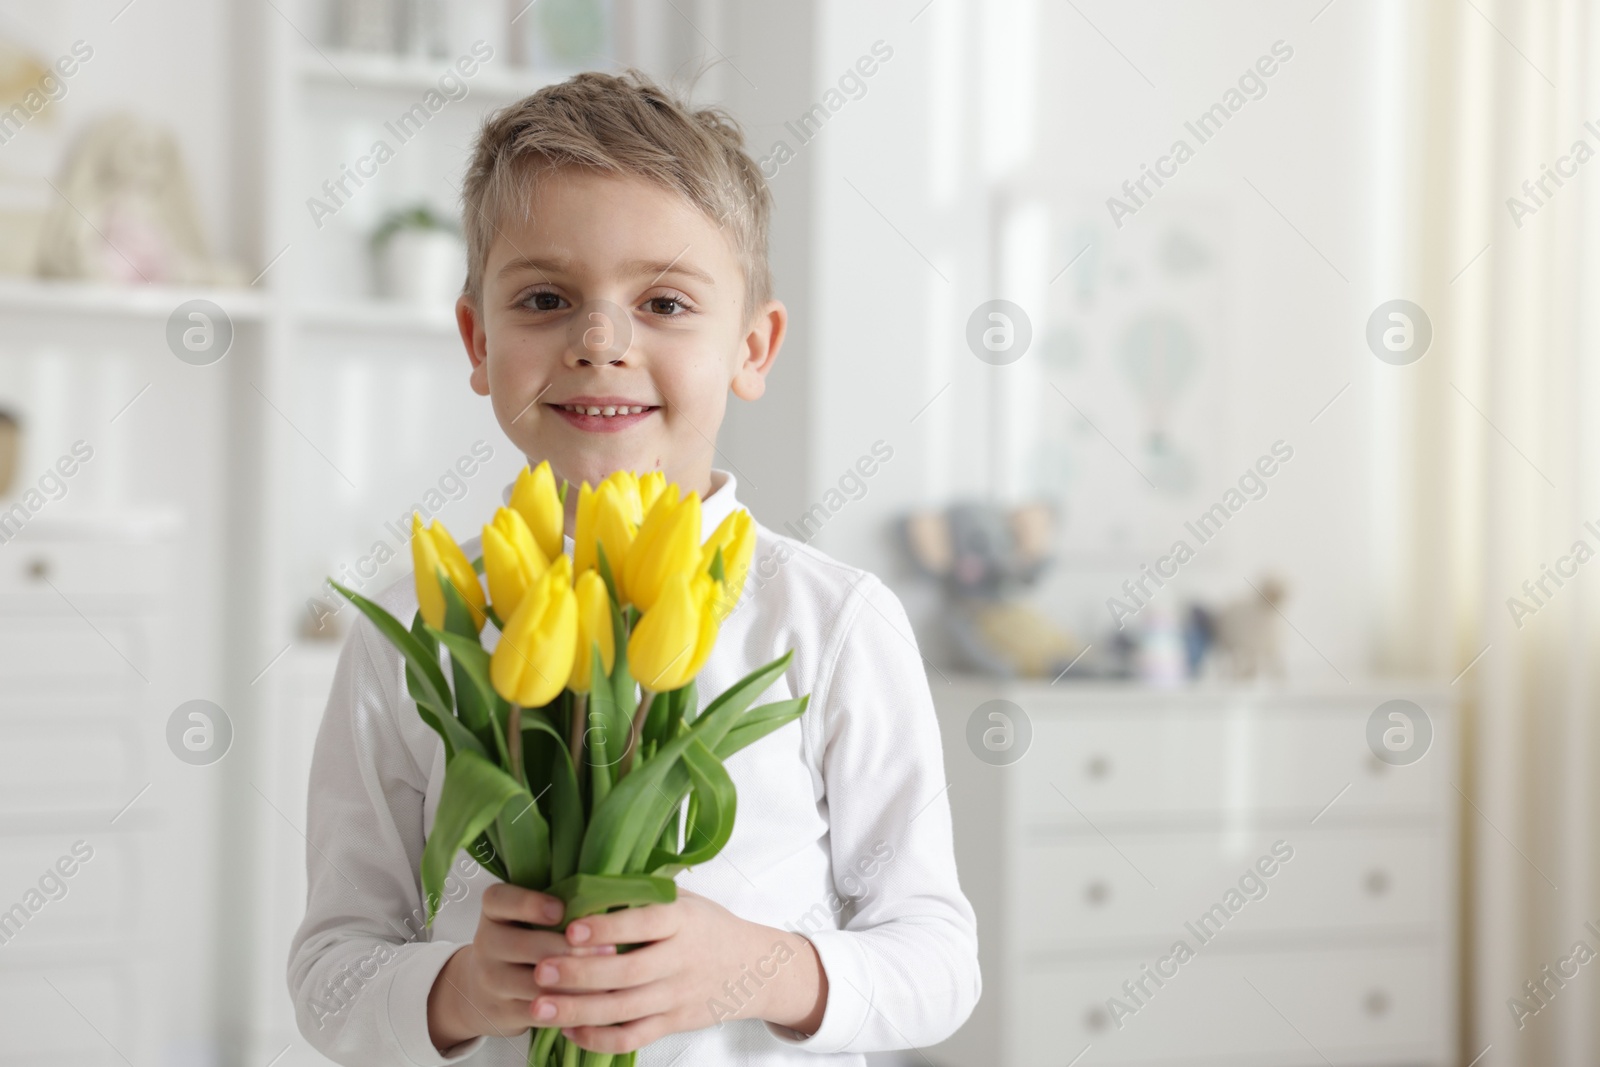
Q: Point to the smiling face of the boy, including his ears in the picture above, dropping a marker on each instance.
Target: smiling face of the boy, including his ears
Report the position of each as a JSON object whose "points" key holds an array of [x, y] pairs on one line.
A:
{"points": [[615, 289]]}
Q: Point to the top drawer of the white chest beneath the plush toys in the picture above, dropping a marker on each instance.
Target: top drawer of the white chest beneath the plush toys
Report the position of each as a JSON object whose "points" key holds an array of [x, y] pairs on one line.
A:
{"points": [[1204, 764]]}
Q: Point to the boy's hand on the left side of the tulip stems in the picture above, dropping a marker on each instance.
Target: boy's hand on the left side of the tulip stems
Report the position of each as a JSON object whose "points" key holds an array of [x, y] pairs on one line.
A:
{"points": [[489, 985]]}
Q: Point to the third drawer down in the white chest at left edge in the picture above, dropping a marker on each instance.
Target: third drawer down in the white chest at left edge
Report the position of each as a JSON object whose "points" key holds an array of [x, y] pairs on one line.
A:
{"points": [[76, 762]]}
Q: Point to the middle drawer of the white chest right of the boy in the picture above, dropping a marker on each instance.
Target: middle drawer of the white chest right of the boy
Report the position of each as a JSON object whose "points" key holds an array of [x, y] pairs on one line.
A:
{"points": [[1082, 890]]}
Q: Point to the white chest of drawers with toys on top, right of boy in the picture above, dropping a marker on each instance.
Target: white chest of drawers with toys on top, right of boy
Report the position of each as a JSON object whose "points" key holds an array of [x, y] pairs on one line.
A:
{"points": [[1311, 884]]}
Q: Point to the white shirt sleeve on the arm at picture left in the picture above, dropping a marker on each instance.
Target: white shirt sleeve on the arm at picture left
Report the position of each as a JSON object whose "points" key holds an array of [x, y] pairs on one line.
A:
{"points": [[362, 964]]}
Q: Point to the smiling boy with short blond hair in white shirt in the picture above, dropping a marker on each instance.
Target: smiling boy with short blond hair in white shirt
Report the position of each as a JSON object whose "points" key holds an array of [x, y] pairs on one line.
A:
{"points": [[617, 290]]}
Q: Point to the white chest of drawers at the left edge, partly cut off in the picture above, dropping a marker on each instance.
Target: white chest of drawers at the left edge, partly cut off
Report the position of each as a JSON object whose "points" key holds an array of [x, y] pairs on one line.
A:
{"points": [[84, 773]]}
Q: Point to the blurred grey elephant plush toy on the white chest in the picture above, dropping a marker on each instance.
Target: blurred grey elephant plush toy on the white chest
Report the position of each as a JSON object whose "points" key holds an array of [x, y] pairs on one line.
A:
{"points": [[986, 556]]}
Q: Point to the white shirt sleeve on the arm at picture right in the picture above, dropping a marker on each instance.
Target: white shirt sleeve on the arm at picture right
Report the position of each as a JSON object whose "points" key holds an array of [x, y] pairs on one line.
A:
{"points": [[903, 967]]}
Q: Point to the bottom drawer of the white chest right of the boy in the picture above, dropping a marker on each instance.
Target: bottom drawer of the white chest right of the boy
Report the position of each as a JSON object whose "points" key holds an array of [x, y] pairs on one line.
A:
{"points": [[1375, 1007]]}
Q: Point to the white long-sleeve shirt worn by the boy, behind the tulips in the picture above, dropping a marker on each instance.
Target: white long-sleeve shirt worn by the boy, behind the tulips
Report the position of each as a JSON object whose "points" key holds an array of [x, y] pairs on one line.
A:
{"points": [[842, 834]]}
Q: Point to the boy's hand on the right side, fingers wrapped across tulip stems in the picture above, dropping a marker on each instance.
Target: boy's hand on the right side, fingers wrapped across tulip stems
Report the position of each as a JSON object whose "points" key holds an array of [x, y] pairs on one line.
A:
{"points": [[703, 965]]}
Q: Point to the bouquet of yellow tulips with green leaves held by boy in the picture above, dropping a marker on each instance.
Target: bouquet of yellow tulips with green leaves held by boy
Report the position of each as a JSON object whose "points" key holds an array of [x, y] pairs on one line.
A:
{"points": [[574, 748]]}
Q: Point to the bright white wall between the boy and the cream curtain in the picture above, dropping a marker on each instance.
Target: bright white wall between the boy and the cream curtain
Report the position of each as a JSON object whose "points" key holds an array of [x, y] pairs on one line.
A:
{"points": [[1287, 332]]}
